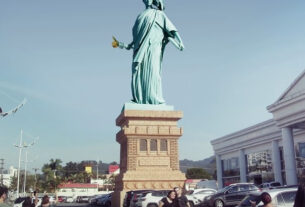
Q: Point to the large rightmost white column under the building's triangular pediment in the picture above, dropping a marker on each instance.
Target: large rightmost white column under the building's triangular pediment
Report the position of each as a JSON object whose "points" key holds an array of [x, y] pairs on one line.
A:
{"points": [[289, 156]]}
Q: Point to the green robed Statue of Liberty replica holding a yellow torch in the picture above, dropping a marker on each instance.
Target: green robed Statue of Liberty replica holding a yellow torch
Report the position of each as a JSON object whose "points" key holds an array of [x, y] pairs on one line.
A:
{"points": [[151, 33]]}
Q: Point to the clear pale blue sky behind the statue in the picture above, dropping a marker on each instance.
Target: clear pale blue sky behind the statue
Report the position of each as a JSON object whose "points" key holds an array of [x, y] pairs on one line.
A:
{"points": [[239, 57]]}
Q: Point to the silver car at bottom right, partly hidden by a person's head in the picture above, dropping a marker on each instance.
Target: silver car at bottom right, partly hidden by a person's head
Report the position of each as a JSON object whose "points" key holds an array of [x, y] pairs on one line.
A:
{"points": [[282, 197]]}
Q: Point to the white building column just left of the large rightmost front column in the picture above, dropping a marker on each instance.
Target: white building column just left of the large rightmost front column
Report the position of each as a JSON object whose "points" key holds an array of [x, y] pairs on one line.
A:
{"points": [[276, 160]]}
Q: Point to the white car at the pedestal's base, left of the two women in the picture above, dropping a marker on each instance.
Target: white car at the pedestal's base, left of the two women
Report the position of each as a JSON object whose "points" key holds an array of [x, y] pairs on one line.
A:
{"points": [[150, 198]]}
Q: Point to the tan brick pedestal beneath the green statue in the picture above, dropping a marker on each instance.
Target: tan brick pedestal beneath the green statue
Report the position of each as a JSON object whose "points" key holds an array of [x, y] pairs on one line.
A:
{"points": [[149, 152]]}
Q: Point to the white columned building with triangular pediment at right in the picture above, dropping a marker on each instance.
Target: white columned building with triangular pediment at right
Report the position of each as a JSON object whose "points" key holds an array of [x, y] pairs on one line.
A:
{"points": [[268, 151]]}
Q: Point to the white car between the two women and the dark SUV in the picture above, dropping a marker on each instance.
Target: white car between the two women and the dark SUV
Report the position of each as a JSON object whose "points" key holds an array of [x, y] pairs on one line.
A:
{"points": [[197, 196]]}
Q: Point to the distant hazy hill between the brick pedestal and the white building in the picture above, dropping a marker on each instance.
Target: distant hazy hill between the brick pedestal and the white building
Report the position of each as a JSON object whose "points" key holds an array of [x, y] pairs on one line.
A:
{"points": [[209, 164]]}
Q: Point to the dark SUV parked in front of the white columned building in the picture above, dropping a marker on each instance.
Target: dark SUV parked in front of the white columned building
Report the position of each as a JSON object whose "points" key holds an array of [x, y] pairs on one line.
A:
{"points": [[230, 195]]}
